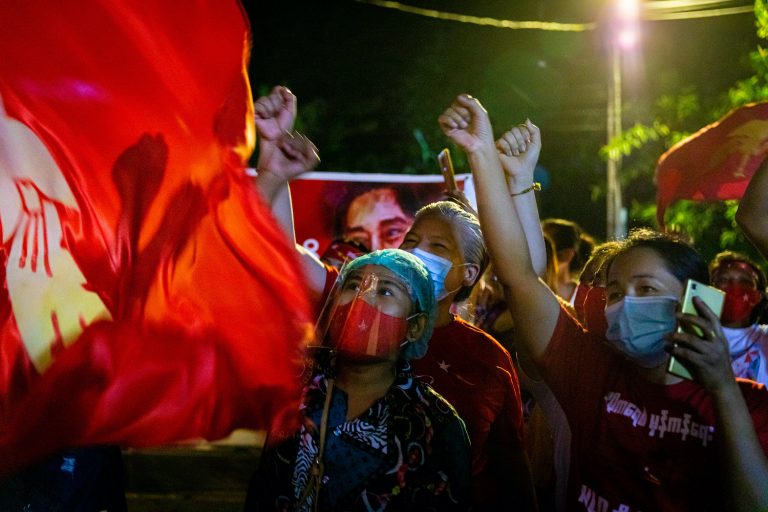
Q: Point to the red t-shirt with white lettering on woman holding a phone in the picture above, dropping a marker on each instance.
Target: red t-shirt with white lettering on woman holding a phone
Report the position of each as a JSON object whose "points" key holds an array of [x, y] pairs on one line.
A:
{"points": [[636, 446]]}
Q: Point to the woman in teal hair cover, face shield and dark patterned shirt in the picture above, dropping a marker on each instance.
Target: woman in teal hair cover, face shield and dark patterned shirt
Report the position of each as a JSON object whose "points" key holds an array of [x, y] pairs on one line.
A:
{"points": [[373, 437]]}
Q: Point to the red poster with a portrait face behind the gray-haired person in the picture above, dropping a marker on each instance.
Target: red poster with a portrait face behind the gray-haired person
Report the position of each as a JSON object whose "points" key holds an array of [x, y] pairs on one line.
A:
{"points": [[375, 210]]}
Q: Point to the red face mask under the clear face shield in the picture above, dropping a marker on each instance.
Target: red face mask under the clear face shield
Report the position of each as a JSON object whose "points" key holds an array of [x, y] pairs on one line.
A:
{"points": [[360, 331]]}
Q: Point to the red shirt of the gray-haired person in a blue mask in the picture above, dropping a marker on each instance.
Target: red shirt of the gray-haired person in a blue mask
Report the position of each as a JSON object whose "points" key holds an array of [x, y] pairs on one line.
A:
{"points": [[476, 375]]}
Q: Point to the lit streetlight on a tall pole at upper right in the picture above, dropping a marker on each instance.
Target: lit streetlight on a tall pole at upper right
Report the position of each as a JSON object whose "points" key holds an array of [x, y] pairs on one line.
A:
{"points": [[623, 35]]}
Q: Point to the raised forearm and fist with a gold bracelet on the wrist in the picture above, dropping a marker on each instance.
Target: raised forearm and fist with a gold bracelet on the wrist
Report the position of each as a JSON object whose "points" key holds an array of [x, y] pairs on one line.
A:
{"points": [[519, 150]]}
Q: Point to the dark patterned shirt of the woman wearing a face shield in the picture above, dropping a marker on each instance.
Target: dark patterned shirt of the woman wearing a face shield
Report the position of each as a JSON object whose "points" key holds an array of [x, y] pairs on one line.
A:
{"points": [[408, 451]]}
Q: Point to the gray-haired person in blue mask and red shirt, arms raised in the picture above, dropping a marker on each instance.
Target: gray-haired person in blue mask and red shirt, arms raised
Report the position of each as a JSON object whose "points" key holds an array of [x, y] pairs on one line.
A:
{"points": [[464, 364]]}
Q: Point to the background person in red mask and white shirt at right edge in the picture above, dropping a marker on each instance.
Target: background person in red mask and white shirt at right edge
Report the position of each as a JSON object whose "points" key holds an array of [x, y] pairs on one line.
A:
{"points": [[743, 282]]}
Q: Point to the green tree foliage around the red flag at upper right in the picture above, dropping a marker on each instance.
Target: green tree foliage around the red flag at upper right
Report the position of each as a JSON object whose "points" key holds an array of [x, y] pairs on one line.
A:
{"points": [[711, 226]]}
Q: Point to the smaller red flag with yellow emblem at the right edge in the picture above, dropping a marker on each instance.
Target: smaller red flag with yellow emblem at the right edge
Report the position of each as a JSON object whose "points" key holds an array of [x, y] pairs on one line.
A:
{"points": [[715, 163]]}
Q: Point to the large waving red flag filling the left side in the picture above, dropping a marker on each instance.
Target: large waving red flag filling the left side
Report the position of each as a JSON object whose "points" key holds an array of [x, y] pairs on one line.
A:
{"points": [[147, 295]]}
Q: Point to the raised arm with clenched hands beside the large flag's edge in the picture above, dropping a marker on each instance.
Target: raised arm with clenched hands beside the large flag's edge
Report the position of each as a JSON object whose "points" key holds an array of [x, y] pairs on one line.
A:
{"points": [[283, 155]]}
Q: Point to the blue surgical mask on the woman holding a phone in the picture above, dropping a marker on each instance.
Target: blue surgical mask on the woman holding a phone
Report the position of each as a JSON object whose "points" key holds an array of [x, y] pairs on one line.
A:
{"points": [[637, 326]]}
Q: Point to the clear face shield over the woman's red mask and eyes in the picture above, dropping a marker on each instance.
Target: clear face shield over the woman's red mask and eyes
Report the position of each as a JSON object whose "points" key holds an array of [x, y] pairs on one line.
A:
{"points": [[365, 318]]}
